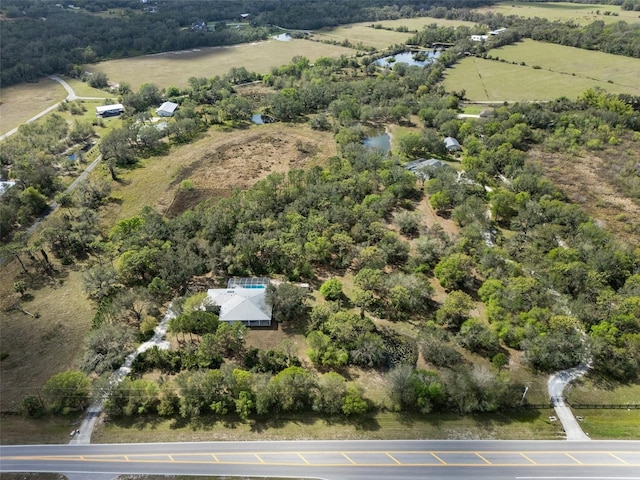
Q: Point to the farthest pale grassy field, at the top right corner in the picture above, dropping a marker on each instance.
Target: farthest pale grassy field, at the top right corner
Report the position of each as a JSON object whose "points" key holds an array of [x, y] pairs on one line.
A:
{"points": [[582, 14]]}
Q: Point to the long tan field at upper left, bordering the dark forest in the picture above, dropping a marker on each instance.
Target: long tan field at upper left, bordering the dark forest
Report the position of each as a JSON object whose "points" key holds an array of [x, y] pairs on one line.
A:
{"points": [[175, 68]]}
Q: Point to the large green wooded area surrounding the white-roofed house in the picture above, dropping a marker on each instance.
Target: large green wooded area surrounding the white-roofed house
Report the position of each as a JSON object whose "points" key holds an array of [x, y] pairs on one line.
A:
{"points": [[556, 287]]}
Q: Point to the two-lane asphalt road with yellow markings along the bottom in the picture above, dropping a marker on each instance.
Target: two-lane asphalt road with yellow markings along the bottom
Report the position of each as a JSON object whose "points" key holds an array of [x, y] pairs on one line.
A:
{"points": [[340, 460]]}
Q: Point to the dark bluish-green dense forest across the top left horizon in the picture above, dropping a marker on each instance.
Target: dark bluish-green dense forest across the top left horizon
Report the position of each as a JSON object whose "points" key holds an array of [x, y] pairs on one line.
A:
{"points": [[41, 38]]}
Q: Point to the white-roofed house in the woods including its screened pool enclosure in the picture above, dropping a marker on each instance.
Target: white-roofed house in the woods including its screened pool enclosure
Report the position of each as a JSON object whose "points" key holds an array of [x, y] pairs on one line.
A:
{"points": [[244, 300]]}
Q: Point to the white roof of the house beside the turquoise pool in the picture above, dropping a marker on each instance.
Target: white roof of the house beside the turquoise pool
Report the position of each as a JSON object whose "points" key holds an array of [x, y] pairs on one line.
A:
{"points": [[240, 304]]}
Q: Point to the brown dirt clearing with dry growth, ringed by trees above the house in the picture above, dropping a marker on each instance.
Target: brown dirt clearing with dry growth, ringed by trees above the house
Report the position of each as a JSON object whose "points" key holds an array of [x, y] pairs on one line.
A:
{"points": [[239, 160]]}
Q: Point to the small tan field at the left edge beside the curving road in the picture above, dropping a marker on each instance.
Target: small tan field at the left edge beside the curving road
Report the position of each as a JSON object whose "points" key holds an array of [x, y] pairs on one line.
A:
{"points": [[18, 103]]}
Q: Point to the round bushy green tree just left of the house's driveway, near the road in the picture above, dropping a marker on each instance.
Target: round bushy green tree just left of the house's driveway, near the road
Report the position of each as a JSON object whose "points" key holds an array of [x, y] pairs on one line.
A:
{"points": [[67, 391]]}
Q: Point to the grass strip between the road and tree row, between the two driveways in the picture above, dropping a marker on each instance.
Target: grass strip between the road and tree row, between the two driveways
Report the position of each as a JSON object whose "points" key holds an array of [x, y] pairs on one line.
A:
{"points": [[529, 424]]}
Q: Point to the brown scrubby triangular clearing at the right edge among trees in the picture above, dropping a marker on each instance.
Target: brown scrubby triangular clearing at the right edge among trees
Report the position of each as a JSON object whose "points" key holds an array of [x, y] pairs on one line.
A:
{"points": [[588, 180]]}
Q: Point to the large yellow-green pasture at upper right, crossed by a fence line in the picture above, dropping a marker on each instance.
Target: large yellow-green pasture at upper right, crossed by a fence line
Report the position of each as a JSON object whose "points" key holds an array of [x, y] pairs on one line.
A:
{"points": [[563, 71]]}
